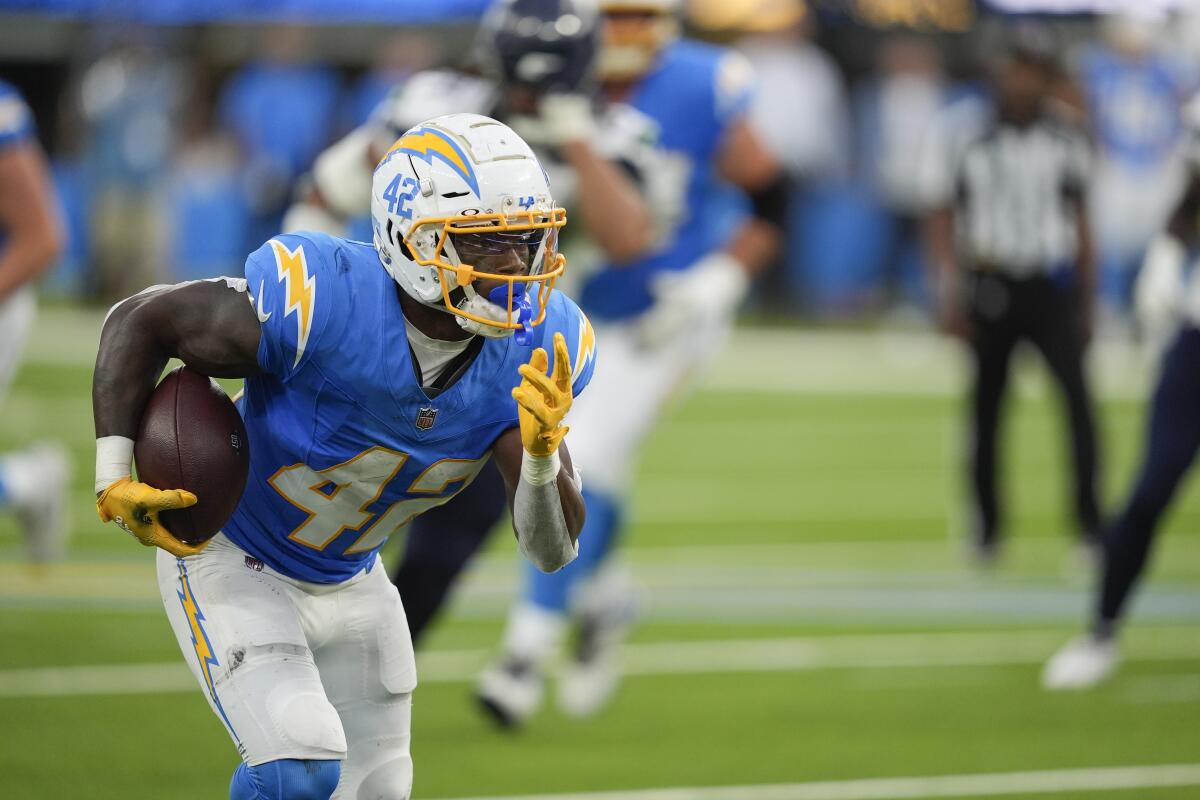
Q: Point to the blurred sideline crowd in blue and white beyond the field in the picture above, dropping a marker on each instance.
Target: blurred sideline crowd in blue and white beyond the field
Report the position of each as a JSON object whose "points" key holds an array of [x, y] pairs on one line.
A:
{"points": [[173, 166]]}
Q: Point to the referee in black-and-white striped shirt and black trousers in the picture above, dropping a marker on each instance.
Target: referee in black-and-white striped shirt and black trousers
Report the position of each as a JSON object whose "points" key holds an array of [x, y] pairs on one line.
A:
{"points": [[1012, 255]]}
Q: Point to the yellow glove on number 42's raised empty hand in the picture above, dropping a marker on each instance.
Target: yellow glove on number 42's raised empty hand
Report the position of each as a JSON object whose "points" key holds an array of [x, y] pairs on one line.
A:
{"points": [[544, 401]]}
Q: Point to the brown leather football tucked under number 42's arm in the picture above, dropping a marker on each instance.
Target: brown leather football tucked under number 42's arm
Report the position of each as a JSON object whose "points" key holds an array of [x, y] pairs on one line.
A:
{"points": [[194, 438]]}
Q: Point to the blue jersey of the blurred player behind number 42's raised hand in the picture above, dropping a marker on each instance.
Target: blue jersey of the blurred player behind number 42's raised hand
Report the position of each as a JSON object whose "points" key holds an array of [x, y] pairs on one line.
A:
{"points": [[694, 93]]}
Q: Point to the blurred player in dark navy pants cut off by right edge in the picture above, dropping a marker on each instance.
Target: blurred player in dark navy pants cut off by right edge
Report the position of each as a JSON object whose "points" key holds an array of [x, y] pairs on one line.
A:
{"points": [[1168, 293]]}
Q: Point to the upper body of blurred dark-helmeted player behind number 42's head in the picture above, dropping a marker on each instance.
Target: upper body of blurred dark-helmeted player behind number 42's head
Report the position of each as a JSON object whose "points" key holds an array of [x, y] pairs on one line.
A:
{"points": [[535, 69]]}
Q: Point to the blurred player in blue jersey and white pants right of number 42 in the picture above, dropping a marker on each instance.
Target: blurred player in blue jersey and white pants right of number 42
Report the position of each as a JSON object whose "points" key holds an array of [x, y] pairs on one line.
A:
{"points": [[658, 320]]}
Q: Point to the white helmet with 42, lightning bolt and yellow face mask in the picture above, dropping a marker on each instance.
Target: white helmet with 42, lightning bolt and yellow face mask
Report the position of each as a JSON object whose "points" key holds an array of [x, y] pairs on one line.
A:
{"points": [[461, 201]]}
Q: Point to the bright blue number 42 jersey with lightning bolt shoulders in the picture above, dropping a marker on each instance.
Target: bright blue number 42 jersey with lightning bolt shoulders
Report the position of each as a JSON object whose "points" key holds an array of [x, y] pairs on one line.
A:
{"points": [[345, 446]]}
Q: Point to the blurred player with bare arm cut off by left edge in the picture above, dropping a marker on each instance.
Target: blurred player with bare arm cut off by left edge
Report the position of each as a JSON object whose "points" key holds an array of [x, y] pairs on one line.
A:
{"points": [[32, 483]]}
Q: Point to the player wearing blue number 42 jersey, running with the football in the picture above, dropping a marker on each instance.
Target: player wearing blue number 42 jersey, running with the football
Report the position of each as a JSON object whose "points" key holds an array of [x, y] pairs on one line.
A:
{"points": [[379, 382]]}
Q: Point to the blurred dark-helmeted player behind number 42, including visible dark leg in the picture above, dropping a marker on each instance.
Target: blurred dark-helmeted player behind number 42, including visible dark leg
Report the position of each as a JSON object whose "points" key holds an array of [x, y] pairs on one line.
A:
{"points": [[596, 154]]}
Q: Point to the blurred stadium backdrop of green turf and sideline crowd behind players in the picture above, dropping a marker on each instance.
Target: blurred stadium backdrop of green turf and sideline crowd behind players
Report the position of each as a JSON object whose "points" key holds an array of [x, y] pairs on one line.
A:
{"points": [[812, 619]]}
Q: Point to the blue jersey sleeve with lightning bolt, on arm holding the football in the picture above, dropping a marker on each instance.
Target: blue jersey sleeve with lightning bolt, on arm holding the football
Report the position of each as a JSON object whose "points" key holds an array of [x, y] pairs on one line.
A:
{"points": [[302, 299]]}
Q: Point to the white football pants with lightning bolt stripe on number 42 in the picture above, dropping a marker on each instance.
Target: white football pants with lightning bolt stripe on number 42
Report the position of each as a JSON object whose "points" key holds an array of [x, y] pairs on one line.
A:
{"points": [[298, 670]]}
